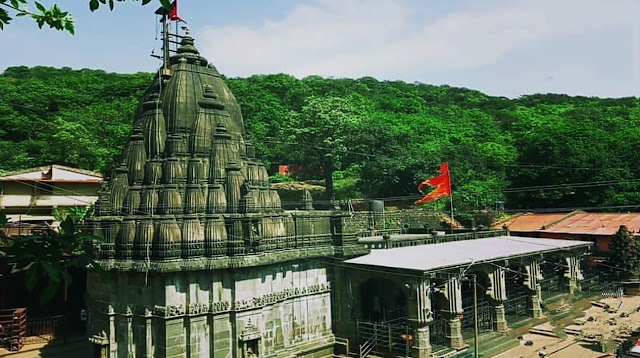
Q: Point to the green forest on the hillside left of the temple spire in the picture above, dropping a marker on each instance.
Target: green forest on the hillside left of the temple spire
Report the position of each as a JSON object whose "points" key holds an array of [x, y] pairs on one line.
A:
{"points": [[76, 118]]}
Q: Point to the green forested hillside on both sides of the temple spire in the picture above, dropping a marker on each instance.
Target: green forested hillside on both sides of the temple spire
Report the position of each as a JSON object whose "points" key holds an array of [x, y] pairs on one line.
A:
{"points": [[380, 139]]}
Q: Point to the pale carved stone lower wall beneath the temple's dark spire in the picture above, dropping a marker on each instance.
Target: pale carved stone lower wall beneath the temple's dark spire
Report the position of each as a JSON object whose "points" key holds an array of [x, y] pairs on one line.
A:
{"points": [[192, 314]]}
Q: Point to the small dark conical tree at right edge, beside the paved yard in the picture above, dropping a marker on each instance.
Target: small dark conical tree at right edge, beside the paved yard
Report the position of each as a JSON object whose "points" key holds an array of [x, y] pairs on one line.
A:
{"points": [[624, 254]]}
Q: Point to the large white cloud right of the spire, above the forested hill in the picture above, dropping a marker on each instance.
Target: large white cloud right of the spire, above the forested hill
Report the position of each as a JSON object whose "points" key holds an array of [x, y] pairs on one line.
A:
{"points": [[386, 38]]}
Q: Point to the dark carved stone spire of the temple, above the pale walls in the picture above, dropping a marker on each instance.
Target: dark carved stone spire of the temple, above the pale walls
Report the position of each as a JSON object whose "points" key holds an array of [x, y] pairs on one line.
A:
{"points": [[188, 179]]}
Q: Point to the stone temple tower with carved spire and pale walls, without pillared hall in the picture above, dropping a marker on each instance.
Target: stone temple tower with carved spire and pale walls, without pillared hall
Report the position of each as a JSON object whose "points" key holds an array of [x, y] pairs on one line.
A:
{"points": [[201, 260]]}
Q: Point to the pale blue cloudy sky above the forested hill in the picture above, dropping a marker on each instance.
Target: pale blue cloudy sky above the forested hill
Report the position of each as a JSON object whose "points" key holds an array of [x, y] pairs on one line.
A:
{"points": [[500, 47]]}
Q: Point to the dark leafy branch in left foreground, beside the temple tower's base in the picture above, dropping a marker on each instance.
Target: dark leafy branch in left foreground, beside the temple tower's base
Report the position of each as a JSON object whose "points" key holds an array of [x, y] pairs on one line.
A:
{"points": [[48, 257]]}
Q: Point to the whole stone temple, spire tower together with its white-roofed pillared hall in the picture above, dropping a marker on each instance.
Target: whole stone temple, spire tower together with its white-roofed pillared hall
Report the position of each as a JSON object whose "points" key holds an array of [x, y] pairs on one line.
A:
{"points": [[202, 261]]}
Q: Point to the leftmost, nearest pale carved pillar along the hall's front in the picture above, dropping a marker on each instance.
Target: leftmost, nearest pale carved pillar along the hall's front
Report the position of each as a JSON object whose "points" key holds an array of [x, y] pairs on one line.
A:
{"points": [[420, 315]]}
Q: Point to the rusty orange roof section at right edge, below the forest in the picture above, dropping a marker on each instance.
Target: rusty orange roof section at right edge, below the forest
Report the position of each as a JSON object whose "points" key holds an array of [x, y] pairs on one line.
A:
{"points": [[596, 223]]}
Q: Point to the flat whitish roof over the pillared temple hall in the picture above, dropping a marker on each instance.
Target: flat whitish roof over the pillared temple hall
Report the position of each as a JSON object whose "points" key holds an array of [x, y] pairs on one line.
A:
{"points": [[462, 253]]}
